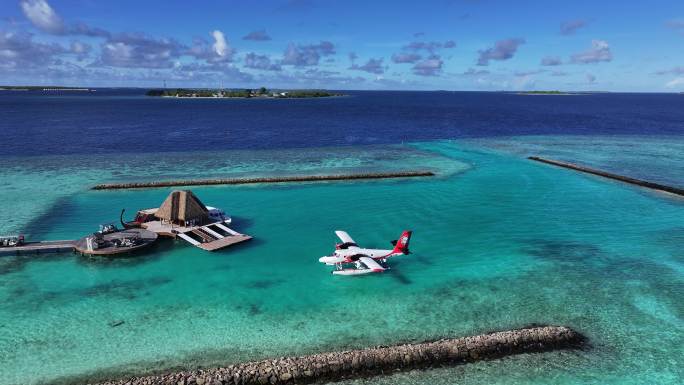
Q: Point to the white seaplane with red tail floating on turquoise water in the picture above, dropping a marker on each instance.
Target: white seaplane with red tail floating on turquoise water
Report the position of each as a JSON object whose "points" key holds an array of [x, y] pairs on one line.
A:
{"points": [[350, 259]]}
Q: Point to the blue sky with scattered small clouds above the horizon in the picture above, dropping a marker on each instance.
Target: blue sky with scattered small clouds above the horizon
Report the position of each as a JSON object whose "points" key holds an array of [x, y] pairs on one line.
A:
{"points": [[609, 45]]}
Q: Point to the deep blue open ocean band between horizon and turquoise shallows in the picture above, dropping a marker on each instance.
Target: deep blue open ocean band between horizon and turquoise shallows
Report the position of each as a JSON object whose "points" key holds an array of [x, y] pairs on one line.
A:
{"points": [[115, 121]]}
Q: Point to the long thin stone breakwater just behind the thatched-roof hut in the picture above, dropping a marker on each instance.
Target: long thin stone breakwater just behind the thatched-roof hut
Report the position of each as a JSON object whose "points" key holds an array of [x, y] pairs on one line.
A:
{"points": [[282, 179]]}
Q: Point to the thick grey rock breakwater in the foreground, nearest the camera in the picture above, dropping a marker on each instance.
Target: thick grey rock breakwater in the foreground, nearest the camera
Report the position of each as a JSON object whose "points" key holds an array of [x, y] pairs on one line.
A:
{"points": [[326, 367]]}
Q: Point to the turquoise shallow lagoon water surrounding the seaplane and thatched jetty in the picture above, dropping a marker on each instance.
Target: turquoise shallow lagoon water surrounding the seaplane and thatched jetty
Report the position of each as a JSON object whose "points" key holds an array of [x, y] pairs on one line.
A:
{"points": [[499, 242]]}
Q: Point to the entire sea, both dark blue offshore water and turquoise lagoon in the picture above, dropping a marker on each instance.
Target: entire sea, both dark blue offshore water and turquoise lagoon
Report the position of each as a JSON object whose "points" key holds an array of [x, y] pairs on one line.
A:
{"points": [[499, 242]]}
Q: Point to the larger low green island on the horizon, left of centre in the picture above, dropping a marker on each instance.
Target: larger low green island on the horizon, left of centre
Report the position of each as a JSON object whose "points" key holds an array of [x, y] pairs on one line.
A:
{"points": [[262, 92]]}
